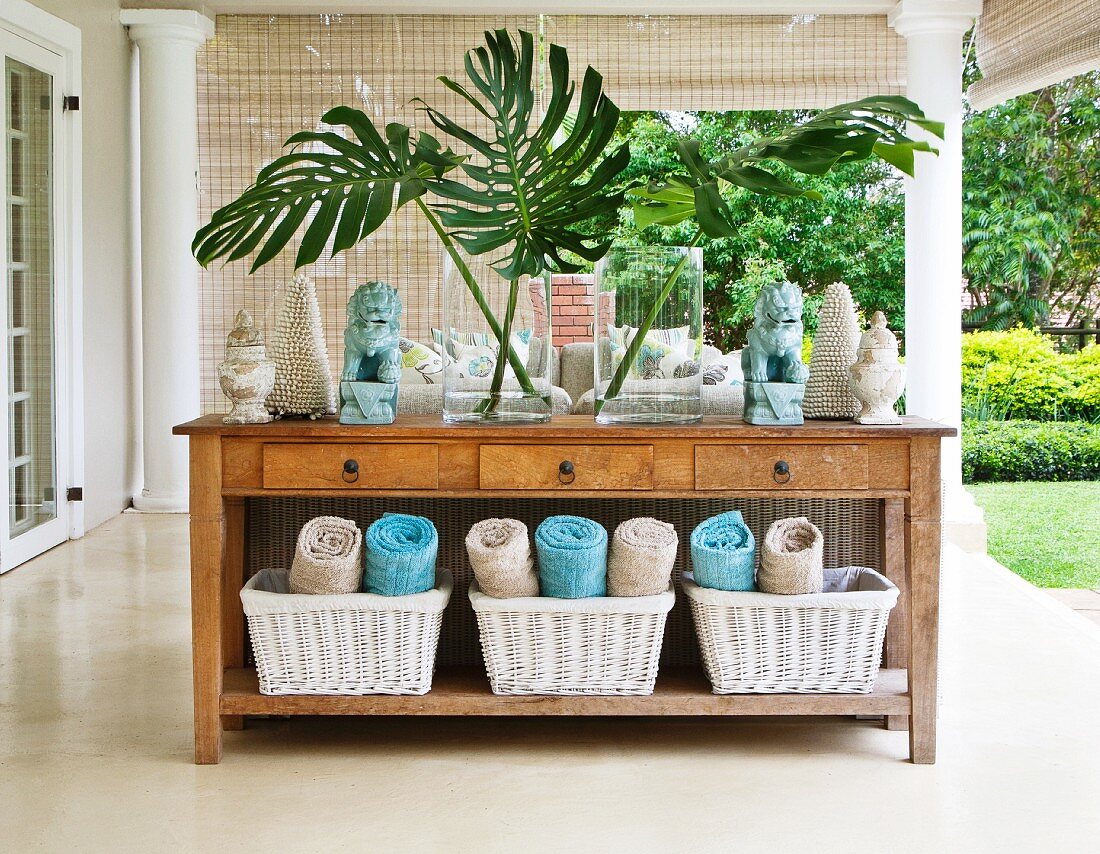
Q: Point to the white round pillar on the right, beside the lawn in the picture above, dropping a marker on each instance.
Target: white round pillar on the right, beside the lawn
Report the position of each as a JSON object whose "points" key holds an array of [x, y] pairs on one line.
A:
{"points": [[933, 31]]}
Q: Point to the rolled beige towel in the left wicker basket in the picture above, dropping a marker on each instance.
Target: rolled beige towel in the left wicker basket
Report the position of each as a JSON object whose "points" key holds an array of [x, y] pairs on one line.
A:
{"points": [[329, 557]]}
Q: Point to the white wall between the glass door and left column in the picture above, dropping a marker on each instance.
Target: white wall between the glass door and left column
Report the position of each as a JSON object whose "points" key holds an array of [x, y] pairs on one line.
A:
{"points": [[111, 306]]}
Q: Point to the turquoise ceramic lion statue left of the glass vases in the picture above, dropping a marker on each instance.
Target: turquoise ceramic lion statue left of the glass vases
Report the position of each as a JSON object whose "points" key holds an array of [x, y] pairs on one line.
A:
{"points": [[371, 340]]}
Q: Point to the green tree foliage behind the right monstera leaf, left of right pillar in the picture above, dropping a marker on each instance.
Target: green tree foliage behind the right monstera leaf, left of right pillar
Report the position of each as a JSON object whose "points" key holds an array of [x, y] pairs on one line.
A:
{"points": [[855, 234]]}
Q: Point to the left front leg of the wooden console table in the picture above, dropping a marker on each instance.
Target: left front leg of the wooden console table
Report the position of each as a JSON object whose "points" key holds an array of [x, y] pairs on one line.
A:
{"points": [[208, 529]]}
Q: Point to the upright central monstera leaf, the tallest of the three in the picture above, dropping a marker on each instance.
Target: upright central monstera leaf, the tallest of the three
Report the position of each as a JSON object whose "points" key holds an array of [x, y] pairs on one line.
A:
{"points": [[537, 185]]}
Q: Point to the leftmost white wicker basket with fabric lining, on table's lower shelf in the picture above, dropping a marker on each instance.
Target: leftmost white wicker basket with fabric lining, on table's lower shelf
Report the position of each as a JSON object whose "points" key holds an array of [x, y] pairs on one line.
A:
{"points": [[350, 644]]}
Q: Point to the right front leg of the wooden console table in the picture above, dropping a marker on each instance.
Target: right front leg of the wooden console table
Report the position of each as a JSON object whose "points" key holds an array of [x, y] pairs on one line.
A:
{"points": [[922, 571]]}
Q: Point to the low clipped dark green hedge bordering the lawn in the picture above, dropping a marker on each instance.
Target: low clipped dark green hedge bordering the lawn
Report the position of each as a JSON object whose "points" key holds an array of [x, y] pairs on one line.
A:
{"points": [[1030, 451]]}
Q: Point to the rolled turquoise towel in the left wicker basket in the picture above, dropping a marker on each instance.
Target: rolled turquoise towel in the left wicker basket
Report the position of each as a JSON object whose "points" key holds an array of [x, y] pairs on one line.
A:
{"points": [[401, 556]]}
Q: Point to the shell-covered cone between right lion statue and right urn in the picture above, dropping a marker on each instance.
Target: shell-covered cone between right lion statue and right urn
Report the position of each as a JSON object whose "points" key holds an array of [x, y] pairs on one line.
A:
{"points": [[837, 341]]}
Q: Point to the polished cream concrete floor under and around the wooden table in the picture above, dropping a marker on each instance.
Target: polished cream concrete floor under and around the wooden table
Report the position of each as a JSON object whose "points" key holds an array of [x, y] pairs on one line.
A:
{"points": [[95, 744]]}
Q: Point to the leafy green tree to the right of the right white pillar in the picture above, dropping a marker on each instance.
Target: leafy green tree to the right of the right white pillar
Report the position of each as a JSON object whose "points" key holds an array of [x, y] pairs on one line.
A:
{"points": [[1031, 211]]}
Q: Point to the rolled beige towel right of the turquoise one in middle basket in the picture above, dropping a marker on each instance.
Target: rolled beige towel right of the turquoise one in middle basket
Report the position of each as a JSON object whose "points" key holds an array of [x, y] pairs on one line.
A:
{"points": [[642, 556]]}
